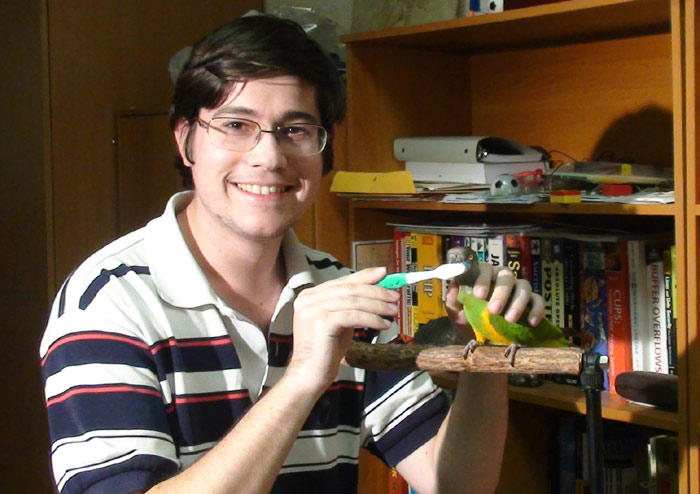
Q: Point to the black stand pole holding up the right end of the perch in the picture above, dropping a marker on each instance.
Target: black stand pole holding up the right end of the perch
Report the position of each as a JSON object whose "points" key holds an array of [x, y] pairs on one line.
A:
{"points": [[592, 383]]}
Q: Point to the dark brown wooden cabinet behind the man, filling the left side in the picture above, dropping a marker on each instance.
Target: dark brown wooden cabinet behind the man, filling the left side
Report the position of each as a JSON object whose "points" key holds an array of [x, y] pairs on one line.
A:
{"points": [[86, 155]]}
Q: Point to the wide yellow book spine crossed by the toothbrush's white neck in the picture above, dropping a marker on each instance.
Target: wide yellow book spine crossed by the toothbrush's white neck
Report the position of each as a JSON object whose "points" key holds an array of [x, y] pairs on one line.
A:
{"points": [[429, 250]]}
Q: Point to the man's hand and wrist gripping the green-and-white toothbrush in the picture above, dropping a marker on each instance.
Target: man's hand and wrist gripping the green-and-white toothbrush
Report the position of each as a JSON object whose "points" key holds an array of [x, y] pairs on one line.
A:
{"points": [[325, 317]]}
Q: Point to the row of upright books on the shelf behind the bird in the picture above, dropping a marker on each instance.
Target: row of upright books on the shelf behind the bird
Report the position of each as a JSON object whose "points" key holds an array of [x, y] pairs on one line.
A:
{"points": [[614, 291]]}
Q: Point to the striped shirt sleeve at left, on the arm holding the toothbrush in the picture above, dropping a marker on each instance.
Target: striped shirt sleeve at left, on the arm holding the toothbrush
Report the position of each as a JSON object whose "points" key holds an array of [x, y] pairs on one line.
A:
{"points": [[107, 418]]}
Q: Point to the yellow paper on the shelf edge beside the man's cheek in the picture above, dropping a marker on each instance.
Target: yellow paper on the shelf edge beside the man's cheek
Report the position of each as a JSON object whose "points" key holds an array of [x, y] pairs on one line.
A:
{"points": [[373, 183]]}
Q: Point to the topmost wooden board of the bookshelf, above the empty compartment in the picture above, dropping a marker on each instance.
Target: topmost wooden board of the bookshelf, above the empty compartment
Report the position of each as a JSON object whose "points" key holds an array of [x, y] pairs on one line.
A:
{"points": [[557, 23]]}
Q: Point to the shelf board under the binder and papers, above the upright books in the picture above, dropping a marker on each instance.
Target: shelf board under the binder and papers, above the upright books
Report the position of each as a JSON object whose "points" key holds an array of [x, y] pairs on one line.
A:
{"points": [[537, 208]]}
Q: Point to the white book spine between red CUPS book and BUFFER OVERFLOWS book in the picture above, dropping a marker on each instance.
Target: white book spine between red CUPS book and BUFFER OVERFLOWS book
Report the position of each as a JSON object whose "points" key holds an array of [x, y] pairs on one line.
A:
{"points": [[638, 304]]}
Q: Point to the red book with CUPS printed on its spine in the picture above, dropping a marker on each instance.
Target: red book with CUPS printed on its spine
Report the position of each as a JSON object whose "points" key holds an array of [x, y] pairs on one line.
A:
{"points": [[619, 319]]}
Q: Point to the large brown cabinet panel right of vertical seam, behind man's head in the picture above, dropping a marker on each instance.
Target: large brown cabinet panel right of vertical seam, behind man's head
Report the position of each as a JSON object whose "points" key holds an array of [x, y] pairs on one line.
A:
{"points": [[108, 58]]}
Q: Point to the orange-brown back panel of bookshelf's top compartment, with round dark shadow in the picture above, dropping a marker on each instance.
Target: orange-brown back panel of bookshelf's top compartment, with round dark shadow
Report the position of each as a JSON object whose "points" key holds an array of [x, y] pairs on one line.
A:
{"points": [[587, 100]]}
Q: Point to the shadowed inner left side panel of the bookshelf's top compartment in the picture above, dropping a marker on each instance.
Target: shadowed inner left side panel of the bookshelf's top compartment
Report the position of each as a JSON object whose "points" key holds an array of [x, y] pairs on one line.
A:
{"points": [[418, 93]]}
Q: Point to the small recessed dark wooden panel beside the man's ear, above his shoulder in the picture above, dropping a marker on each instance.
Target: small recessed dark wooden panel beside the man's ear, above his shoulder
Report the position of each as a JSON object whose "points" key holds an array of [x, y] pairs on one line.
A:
{"points": [[147, 177]]}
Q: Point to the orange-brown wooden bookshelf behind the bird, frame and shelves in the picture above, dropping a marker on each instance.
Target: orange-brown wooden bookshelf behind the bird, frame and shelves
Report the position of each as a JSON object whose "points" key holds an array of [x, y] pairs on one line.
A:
{"points": [[583, 77]]}
